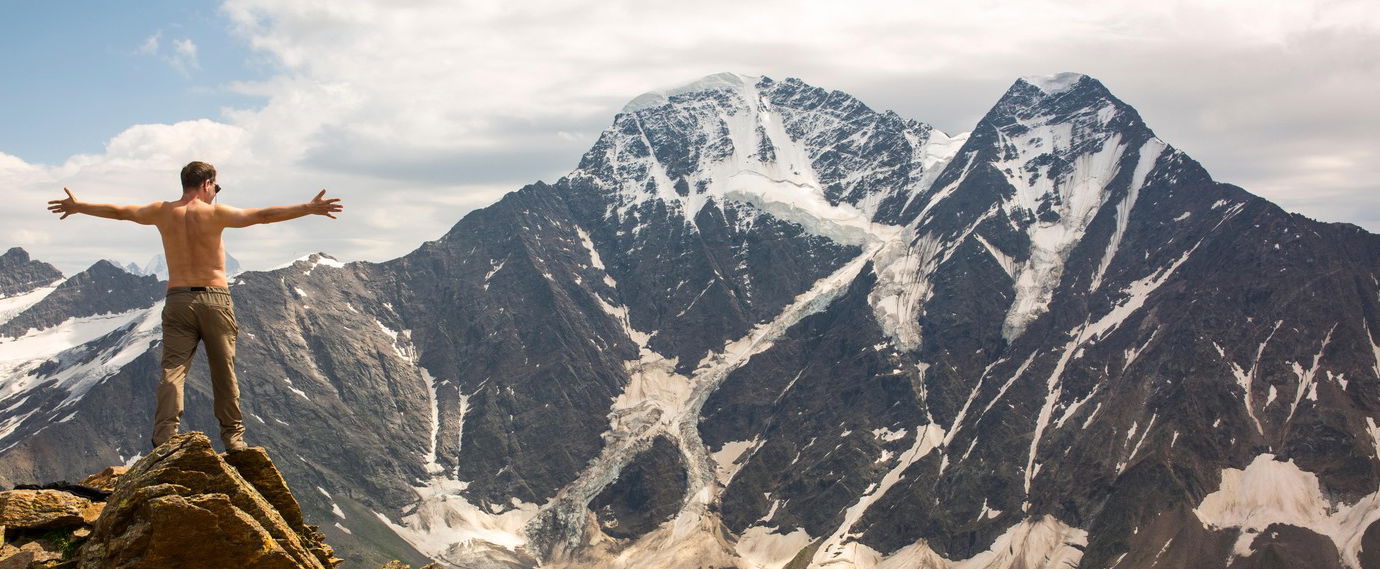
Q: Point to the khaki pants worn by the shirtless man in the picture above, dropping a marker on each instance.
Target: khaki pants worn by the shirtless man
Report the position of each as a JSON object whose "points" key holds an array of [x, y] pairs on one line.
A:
{"points": [[199, 316]]}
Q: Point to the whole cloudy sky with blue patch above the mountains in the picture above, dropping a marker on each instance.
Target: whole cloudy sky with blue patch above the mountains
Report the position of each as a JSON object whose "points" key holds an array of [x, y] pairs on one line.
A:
{"points": [[419, 113]]}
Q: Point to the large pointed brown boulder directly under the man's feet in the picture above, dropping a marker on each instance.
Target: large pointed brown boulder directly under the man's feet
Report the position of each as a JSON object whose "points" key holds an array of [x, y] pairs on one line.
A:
{"points": [[187, 506]]}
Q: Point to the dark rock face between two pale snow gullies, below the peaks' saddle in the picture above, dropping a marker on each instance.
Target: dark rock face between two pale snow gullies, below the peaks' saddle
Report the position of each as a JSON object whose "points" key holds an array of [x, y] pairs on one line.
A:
{"points": [[827, 404]]}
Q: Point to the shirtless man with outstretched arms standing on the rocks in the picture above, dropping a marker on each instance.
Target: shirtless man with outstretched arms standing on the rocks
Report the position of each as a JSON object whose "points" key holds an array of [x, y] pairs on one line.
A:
{"points": [[198, 305]]}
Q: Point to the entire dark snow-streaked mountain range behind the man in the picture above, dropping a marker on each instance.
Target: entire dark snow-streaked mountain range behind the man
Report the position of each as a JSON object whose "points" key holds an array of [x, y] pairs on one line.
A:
{"points": [[762, 325]]}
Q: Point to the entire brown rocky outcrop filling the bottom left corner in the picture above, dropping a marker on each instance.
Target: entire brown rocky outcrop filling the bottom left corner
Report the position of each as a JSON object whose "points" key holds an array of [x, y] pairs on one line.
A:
{"points": [[184, 506]]}
